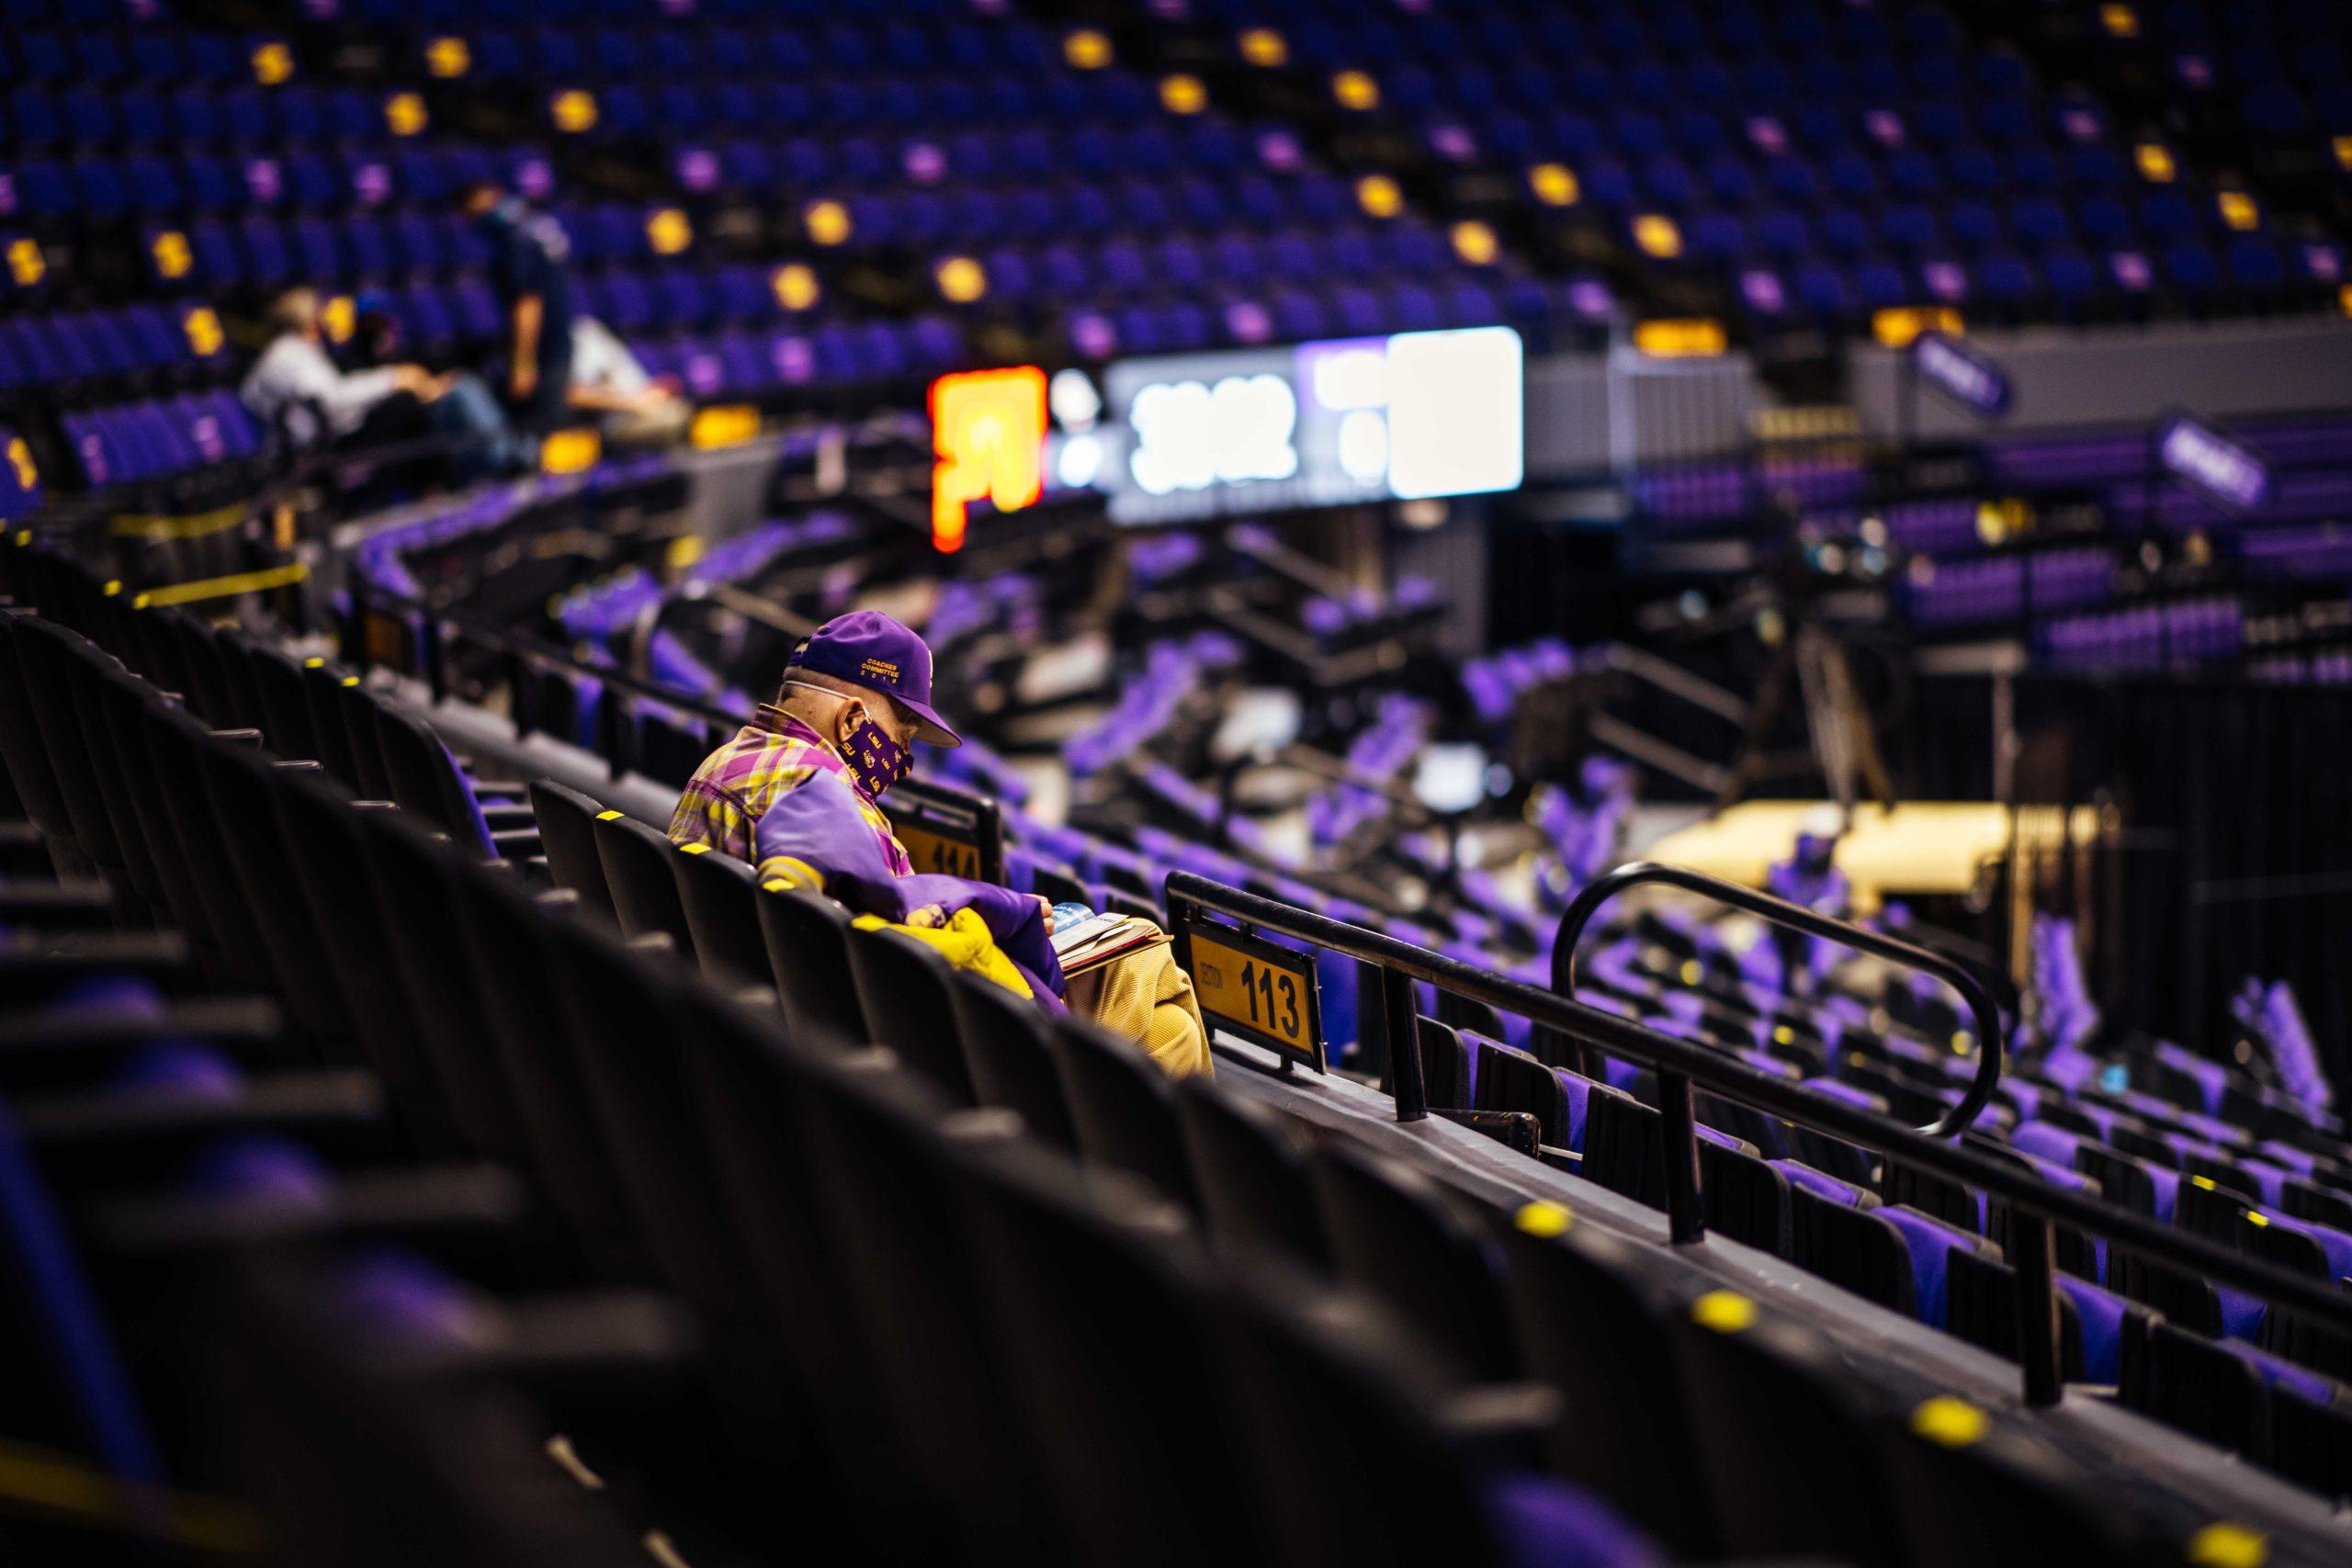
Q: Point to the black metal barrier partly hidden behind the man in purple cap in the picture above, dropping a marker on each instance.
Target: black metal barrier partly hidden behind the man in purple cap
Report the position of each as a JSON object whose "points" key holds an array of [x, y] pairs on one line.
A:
{"points": [[942, 826]]}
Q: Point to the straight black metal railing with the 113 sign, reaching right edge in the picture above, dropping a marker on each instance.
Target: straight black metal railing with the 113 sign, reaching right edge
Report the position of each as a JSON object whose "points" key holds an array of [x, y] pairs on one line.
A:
{"points": [[1201, 906]]}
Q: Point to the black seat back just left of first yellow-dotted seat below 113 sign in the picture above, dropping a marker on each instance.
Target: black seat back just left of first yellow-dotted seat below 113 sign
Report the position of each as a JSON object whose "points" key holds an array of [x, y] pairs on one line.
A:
{"points": [[1398, 1238]]}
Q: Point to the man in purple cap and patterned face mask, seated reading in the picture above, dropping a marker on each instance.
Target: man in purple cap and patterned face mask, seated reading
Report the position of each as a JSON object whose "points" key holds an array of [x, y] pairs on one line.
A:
{"points": [[796, 793]]}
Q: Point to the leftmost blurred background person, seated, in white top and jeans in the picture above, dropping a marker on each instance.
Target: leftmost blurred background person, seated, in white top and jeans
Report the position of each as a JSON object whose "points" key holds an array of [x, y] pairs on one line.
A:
{"points": [[300, 391]]}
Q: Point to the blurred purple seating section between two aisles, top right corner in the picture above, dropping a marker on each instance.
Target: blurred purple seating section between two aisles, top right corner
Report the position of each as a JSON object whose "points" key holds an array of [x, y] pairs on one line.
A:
{"points": [[1819, 163]]}
